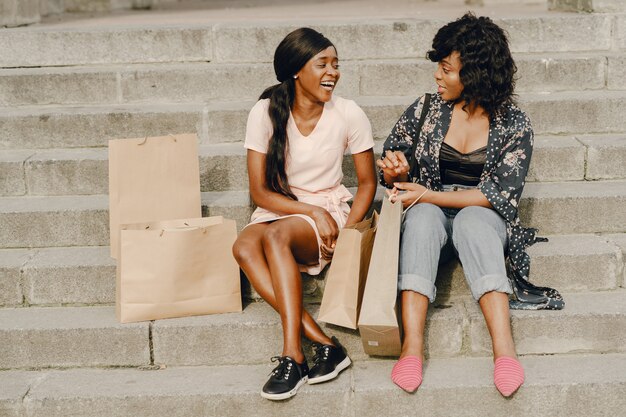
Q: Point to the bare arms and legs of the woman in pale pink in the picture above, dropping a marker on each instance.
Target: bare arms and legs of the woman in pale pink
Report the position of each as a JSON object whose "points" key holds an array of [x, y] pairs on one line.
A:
{"points": [[269, 253]]}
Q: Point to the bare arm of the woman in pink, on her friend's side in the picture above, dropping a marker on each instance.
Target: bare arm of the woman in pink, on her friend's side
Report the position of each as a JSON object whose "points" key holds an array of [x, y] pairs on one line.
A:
{"points": [[364, 166]]}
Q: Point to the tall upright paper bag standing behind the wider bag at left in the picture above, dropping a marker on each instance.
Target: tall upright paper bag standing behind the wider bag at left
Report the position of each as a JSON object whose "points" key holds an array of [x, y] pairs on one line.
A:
{"points": [[152, 179]]}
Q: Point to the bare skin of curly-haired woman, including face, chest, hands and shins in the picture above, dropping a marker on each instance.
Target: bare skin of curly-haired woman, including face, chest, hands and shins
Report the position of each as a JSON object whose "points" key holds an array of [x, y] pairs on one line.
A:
{"points": [[469, 130]]}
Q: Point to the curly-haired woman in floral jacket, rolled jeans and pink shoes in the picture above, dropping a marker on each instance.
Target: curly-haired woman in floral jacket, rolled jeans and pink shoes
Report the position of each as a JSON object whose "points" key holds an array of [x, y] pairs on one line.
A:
{"points": [[472, 155]]}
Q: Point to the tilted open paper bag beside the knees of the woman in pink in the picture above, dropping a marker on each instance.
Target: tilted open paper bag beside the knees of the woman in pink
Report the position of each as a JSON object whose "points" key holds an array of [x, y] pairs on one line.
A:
{"points": [[347, 273]]}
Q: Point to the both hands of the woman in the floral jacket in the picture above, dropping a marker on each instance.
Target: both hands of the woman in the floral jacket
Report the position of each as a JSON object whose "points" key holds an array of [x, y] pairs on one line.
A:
{"points": [[395, 167]]}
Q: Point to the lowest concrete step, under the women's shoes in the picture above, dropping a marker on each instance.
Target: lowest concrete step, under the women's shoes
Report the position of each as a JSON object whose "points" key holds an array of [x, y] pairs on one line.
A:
{"points": [[459, 387]]}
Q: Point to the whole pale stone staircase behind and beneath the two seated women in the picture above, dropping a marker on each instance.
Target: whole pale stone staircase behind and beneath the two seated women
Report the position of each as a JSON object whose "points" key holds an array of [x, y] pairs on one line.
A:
{"points": [[68, 85]]}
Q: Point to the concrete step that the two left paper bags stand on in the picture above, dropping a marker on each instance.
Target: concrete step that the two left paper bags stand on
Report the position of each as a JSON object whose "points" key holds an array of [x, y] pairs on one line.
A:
{"points": [[593, 322]]}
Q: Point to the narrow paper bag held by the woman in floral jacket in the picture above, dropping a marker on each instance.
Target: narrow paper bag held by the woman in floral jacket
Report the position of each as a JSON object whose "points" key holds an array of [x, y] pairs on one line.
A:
{"points": [[378, 320]]}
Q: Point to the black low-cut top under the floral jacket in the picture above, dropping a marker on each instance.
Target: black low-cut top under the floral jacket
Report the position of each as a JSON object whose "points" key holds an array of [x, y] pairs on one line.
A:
{"points": [[461, 168]]}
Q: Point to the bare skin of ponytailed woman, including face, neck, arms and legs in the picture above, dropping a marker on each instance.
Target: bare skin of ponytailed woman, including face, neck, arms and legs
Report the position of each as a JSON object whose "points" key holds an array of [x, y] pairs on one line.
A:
{"points": [[269, 253]]}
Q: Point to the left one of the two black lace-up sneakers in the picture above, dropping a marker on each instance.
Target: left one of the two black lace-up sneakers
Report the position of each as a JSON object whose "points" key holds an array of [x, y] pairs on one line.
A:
{"points": [[285, 379]]}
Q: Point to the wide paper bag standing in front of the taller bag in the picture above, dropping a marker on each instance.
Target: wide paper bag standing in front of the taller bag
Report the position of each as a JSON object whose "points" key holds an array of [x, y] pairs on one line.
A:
{"points": [[177, 268]]}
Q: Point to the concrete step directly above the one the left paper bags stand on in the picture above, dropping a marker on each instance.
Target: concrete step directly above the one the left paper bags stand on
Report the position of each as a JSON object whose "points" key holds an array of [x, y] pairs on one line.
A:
{"points": [[86, 275]]}
